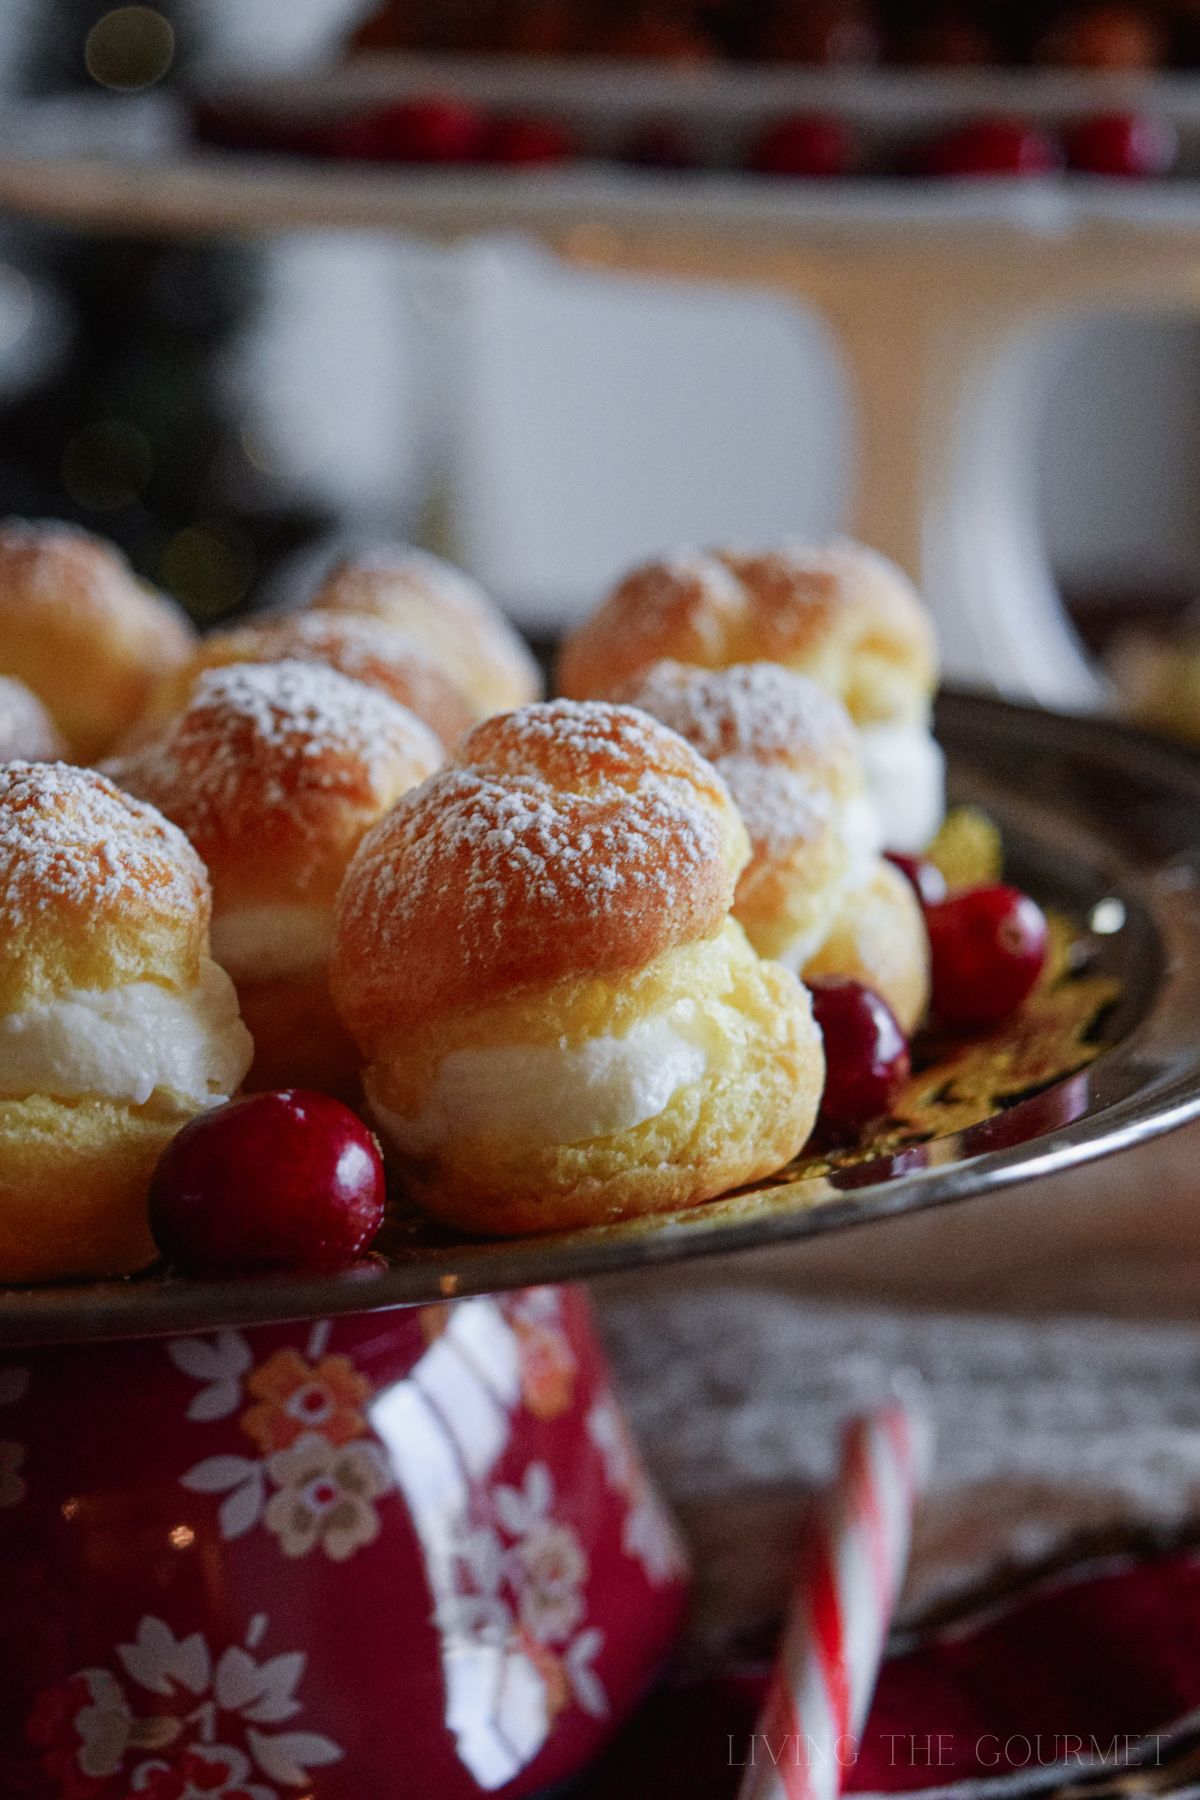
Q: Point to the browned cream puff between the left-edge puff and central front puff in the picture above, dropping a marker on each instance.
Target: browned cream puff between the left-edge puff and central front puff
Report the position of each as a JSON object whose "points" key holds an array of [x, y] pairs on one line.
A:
{"points": [[274, 771]]}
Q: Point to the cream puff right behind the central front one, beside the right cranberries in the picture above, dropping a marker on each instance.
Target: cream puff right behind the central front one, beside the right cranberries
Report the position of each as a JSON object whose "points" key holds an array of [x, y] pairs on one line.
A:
{"points": [[816, 894]]}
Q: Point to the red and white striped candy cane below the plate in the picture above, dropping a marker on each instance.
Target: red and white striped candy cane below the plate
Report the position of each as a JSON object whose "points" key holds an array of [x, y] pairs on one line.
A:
{"points": [[837, 1623]]}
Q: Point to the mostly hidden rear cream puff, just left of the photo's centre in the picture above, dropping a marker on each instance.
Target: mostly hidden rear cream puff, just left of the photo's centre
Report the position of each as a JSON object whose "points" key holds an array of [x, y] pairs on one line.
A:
{"points": [[447, 613]]}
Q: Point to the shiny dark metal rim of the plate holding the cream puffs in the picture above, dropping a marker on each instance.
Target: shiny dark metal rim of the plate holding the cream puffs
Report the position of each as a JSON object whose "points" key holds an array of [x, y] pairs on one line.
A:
{"points": [[1100, 822]]}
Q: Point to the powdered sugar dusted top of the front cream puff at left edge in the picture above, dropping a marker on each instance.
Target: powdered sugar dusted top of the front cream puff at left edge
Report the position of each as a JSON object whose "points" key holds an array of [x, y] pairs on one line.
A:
{"points": [[69, 838]]}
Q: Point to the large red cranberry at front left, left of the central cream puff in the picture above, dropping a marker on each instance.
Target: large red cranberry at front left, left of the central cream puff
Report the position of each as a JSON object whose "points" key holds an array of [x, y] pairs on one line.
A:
{"points": [[273, 1182]]}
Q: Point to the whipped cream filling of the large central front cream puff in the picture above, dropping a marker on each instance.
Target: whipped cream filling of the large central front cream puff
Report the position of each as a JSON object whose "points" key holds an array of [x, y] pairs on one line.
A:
{"points": [[557, 1093]]}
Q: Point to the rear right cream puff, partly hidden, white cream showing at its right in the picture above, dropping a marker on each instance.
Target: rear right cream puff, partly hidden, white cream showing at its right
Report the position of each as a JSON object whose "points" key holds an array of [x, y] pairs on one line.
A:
{"points": [[845, 616]]}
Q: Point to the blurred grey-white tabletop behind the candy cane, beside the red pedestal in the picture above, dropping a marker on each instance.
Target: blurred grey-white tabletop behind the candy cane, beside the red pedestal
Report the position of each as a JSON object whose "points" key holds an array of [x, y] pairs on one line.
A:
{"points": [[1055, 1435]]}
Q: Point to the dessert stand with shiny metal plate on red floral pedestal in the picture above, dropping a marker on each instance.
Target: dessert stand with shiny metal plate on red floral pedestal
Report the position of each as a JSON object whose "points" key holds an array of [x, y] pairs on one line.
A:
{"points": [[386, 1533]]}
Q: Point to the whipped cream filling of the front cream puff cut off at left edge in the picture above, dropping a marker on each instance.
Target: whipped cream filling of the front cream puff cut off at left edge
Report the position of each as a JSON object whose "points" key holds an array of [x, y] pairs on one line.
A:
{"points": [[130, 1045]]}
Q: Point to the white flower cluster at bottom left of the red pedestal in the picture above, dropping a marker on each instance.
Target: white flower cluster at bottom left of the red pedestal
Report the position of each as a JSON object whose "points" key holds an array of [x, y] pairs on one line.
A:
{"points": [[179, 1723]]}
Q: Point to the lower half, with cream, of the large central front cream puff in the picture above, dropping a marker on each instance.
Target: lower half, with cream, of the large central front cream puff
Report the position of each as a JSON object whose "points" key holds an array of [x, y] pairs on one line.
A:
{"points": [[479, 1147]]}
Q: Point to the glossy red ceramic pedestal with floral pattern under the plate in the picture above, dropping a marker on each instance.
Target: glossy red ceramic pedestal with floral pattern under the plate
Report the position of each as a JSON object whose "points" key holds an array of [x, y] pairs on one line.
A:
{"points": [[404, 1554]]}
